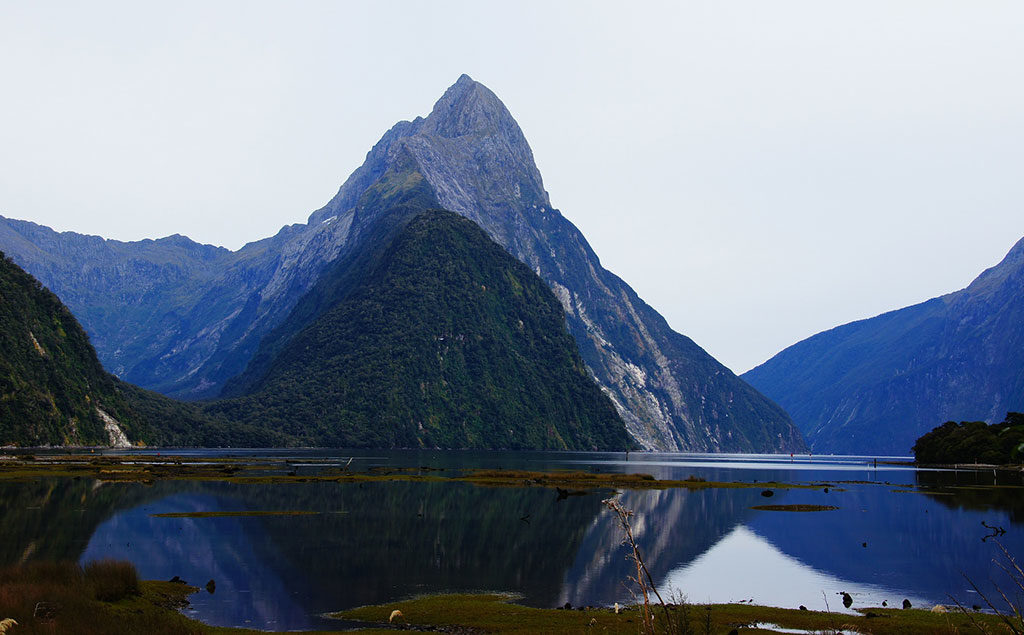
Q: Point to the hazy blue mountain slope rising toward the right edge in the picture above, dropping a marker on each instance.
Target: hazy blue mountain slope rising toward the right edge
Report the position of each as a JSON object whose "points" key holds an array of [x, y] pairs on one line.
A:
{"points": [[875, 387]]}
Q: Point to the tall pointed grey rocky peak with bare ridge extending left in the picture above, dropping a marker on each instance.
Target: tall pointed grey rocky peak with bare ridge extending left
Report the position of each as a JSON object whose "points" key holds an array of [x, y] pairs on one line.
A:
{"points": [[184, 319]]}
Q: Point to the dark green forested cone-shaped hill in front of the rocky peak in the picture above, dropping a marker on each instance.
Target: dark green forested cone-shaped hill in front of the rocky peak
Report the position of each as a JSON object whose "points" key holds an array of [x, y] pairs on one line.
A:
{"points": [[431, 335]]}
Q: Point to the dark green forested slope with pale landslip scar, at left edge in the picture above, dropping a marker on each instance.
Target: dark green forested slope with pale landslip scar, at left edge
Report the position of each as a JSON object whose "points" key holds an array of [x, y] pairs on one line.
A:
{"points": [[54, 391]]}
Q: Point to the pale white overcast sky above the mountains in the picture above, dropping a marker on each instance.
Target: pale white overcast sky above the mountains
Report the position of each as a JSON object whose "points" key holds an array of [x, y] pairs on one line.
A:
{"points": [[758, 172]]}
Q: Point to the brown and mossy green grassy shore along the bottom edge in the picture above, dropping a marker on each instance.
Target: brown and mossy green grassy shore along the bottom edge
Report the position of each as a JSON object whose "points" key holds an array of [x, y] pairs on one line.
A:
{"points": [[107, 598]]}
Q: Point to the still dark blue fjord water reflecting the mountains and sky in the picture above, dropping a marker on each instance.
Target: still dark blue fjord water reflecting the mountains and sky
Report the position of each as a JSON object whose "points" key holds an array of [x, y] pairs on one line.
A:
{"points": [[382, 541]]}
